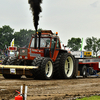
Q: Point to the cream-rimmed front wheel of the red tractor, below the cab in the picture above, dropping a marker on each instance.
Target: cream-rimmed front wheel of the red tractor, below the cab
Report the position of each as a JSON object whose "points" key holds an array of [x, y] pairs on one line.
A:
{"points": [[45, 70]]}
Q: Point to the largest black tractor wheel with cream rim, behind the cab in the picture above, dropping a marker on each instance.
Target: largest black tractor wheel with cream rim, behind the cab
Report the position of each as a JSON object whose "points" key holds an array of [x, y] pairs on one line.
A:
{"points": [[66, 67]]}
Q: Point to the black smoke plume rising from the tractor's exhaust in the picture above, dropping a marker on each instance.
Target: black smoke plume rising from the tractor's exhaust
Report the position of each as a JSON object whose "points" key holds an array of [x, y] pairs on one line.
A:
{"points": [[36, 9]]}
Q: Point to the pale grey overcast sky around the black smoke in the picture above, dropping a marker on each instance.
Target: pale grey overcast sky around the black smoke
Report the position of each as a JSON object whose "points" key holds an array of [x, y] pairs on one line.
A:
{"points": [[70, 18]]}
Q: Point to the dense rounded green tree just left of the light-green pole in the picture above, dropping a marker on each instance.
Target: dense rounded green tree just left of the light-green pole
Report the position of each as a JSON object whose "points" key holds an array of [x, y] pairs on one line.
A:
{"points": [[74, 44]]}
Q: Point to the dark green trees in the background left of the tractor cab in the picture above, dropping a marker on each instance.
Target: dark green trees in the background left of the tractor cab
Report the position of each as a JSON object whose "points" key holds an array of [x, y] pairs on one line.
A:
{"points": [[21, 38]]}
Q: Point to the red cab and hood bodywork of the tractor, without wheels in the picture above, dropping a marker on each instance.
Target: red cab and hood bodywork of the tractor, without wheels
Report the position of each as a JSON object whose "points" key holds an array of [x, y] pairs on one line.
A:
{"points": [[43, 44]]}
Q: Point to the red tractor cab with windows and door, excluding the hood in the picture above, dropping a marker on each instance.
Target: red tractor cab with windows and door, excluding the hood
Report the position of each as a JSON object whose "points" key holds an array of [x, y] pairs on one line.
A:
{"points": [[45, 41]]}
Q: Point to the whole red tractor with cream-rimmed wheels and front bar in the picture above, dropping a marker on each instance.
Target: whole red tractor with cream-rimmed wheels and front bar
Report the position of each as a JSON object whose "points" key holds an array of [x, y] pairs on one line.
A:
{"points": [[43, 59]]}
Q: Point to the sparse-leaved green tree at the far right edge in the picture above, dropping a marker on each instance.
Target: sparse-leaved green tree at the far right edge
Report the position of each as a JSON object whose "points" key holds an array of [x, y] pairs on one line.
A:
{"points": [[92, 44]]}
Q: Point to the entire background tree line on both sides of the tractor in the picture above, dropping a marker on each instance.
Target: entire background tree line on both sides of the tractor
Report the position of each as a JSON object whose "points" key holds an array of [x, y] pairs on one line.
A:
{"points": [[23, 37]]}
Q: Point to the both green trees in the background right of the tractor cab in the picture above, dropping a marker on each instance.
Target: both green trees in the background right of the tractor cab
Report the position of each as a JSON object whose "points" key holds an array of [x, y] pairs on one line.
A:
{"points": [[92, 44]]}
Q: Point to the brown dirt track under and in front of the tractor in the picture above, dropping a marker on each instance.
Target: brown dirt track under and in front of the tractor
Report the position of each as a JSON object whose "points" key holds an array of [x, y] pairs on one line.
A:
{"points": [[50, 89]]}
